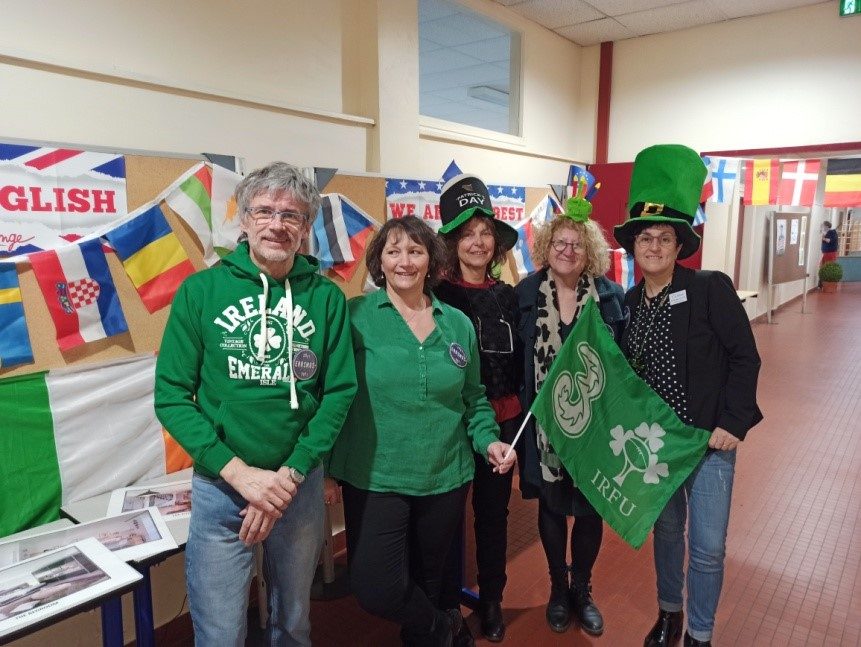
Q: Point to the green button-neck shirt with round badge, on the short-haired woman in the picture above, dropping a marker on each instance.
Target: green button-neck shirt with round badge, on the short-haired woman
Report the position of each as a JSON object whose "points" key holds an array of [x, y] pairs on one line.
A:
{"points": [[420, 409]]}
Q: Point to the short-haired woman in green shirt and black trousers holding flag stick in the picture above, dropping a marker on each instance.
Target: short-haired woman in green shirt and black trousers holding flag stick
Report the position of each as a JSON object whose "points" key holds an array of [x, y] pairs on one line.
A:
{"points": [[404, 456]]}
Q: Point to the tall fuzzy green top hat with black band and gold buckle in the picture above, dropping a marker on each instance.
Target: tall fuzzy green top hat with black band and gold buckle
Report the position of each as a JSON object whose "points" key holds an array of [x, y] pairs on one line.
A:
{"points": [[666, 186]]}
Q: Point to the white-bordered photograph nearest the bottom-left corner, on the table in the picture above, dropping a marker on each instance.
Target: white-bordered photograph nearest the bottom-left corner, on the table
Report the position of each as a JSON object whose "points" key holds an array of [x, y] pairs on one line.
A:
{"points": [[58, 581]]}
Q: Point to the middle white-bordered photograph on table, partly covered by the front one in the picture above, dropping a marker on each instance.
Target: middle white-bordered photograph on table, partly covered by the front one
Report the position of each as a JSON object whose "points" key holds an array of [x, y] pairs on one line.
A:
{"points": [[130, 536]]}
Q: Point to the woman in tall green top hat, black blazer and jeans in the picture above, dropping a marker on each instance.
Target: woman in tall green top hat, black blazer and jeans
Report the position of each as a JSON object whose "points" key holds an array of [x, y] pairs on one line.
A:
{"points": [[690, 340]]}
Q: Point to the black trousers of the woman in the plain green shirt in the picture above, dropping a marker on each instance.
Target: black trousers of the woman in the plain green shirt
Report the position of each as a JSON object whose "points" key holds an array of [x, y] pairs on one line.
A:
{"points": [[396, 549]]}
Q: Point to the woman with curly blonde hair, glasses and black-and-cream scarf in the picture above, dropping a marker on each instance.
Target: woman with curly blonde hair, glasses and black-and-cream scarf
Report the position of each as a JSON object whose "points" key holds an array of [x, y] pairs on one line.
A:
{"points": [[573, 255]]}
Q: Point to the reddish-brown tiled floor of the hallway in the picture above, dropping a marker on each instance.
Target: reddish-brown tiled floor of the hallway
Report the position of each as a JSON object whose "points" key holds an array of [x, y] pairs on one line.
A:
{"points": [[794, 547]]}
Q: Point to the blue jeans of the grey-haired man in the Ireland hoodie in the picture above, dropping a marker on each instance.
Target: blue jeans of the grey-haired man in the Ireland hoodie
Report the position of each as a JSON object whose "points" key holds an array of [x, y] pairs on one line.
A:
{"points": [[219, 567]]}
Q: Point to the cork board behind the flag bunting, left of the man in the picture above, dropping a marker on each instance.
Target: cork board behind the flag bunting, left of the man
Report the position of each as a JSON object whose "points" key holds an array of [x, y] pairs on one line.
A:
{"points": [[146, 177]]}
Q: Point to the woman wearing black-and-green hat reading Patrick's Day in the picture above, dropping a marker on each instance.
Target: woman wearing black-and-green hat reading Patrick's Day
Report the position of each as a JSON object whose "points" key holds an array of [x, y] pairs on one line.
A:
{"points": [[477, 243]]}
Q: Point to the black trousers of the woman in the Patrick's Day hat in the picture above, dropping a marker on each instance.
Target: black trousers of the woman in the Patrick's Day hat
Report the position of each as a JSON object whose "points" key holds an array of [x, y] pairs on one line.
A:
{"points": [[491, 493]]}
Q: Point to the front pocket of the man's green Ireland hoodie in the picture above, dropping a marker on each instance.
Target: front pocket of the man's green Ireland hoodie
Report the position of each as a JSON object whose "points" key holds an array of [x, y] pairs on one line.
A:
{"points": [[263, 433]]}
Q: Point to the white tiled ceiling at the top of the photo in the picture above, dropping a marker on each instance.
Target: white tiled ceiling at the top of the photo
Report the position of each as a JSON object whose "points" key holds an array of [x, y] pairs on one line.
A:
{"points": [[589, 22]]}
